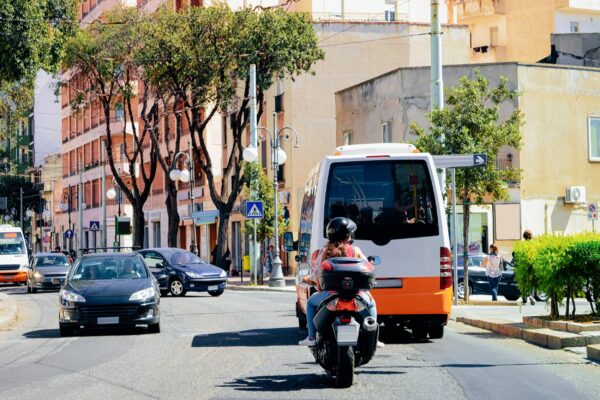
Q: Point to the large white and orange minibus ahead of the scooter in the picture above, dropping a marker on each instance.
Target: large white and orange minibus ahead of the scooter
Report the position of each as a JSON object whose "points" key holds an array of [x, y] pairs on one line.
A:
{"points": [[392, 193]]}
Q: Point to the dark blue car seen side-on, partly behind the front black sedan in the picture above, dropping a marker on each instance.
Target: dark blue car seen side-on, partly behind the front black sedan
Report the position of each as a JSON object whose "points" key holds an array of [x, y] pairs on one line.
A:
{"points": [[179, 271]]}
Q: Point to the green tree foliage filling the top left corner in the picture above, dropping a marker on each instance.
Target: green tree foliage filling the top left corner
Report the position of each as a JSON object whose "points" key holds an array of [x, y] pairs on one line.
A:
{"points": [[32, 35]]}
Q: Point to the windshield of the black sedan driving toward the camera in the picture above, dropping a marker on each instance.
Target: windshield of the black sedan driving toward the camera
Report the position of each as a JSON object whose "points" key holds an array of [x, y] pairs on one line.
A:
{"points": [[103, 268]]}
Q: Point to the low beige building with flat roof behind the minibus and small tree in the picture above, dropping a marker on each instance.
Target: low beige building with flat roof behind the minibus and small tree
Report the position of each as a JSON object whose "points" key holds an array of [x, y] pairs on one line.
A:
{"points": [[560, 156]]}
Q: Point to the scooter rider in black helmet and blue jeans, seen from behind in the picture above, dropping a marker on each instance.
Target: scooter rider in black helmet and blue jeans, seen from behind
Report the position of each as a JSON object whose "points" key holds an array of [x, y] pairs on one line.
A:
{"points": [[340, 232]]}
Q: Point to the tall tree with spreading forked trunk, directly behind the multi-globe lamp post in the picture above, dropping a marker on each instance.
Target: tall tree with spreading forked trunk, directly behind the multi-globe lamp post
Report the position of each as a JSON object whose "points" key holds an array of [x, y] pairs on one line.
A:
{"points": [[211, 60]]}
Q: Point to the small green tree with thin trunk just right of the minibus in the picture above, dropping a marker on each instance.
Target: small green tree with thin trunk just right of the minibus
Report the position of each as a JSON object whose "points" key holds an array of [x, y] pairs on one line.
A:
{"points": [[471, 124]]}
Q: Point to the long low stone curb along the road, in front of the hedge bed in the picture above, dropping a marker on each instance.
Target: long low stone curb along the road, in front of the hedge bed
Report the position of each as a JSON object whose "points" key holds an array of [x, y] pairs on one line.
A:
{"points": [[543, 337]]}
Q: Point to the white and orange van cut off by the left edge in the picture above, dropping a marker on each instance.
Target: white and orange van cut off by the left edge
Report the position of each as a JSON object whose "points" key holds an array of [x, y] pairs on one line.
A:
{"points": [[14, 258]]}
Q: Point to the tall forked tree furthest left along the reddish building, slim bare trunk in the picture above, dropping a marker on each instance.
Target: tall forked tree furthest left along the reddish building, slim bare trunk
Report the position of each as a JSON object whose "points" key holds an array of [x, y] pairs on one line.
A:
{"points": [[102, 58]]}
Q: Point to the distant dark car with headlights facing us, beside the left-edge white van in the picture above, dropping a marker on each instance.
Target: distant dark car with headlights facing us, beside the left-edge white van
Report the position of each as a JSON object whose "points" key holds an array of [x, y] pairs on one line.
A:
{"points": [[47, 271]]}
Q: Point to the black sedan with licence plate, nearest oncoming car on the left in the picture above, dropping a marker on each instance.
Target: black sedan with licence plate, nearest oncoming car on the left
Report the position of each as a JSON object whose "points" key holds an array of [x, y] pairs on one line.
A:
{"points": [[109, 290]]}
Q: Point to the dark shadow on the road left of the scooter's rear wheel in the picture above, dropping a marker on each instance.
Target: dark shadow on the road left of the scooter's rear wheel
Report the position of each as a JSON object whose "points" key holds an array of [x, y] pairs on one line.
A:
{"points": [[280, 383]]}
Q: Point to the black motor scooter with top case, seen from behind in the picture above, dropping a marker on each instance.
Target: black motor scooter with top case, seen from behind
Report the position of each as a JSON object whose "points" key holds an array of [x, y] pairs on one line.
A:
{"points": [[346, 333]]}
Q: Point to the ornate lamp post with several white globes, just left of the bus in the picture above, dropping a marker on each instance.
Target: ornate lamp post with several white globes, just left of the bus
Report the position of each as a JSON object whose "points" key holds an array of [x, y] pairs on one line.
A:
{"points": [[278, 157]]}
